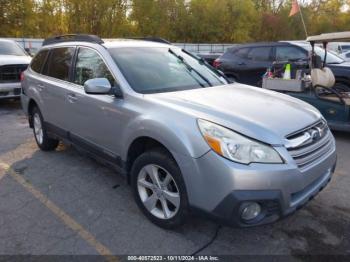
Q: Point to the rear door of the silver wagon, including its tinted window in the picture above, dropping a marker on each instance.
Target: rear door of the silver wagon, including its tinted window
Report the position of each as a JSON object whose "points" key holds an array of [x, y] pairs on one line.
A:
{"points": [[56, 87]]}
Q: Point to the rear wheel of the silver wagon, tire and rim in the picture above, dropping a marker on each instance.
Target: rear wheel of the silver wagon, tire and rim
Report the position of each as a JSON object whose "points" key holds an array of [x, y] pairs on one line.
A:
{"points": [[42, 139]]}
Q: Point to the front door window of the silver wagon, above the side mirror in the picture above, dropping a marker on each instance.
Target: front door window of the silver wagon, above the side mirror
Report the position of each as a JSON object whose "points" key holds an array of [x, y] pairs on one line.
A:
{"points": [[90, 65]]}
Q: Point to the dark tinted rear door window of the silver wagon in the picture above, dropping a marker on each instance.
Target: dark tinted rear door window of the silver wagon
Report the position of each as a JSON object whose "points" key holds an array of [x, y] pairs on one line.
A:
{"points": [[60, 60]]}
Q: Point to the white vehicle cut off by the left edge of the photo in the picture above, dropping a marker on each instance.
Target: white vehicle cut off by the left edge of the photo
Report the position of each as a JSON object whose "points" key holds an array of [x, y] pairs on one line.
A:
{"points": [[13, 61]]}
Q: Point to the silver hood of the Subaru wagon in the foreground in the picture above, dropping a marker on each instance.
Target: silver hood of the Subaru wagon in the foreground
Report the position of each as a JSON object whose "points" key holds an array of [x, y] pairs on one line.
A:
{"points": [[260, 114]]}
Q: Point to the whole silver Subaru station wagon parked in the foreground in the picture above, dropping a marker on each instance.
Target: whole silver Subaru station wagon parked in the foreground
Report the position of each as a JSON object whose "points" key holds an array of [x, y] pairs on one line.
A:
{"points": [[186, 138]]}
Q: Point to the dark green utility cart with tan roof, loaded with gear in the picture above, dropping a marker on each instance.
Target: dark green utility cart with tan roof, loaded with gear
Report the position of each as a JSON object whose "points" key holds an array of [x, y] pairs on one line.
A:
{"points": [[315, 83]]}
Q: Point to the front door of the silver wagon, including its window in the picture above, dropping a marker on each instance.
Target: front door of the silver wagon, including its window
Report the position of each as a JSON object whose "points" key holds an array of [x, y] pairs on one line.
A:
{"points": [[95, 119]]}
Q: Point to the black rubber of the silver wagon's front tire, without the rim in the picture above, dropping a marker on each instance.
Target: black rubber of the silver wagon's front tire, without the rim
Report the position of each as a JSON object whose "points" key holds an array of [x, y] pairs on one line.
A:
{"points": [[161, 158]]}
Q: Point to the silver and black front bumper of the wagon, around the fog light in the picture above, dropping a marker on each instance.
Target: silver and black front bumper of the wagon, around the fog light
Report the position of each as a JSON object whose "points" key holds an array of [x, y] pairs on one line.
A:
{"points": [[218, 187]]}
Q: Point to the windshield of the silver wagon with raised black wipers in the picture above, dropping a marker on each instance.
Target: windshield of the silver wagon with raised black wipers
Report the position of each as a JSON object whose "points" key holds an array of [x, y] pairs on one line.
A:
{"points": [[160, 69]]}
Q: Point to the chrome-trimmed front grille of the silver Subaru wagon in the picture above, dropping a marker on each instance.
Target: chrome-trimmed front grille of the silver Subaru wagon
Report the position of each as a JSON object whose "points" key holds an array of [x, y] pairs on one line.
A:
{"points": [[310, 144]]}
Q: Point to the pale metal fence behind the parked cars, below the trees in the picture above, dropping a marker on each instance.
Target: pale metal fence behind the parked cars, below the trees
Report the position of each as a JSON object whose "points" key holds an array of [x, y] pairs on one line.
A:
{"points": [[194, 48]]}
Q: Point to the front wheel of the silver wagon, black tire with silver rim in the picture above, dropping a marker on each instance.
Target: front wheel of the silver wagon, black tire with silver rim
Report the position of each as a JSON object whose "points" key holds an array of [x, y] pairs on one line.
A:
{"points": [[159, 189]]}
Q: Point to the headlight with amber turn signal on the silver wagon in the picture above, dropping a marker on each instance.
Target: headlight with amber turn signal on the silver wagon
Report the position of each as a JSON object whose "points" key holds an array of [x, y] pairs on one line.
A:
{"points": [[236, 147]]}
